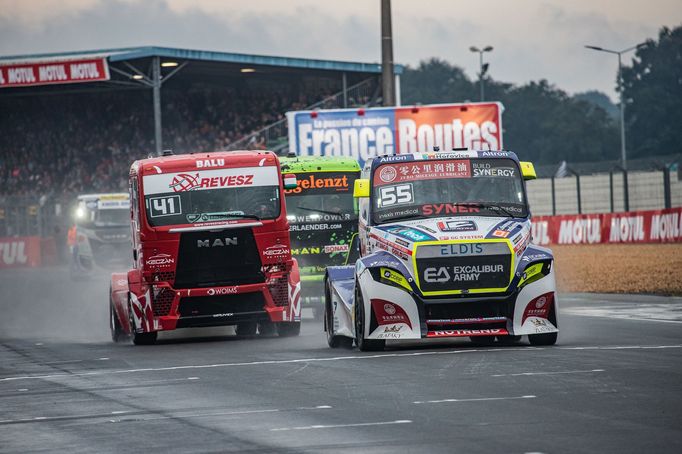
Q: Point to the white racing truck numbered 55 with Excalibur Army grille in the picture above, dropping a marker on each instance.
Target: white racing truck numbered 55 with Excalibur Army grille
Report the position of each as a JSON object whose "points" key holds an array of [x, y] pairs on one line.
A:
{"points": [[444, 252]]}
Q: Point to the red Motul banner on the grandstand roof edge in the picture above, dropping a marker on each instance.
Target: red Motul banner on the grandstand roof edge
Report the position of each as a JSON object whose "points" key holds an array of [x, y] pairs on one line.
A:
{"points": [[53, 72]]}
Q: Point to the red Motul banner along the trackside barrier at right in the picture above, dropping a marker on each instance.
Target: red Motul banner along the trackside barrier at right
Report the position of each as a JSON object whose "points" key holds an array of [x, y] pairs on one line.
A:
{"points": [[654, 226]]}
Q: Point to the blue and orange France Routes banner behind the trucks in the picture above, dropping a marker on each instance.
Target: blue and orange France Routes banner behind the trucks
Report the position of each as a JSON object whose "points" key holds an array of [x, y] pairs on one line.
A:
{"points": [[366, 133]]}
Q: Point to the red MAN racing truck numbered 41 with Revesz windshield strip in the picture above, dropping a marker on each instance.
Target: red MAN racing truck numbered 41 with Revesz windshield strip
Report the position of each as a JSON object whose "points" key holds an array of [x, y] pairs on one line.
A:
{"points": [[211, 247]]}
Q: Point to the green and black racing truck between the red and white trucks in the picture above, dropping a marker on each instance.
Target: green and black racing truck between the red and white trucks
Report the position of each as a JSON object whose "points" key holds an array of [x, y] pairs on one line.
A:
{"points": [[323, 219]]}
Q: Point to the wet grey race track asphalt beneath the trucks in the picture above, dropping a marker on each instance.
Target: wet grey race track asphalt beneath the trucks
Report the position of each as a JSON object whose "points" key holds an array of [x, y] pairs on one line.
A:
{"points": [[613, 383]]}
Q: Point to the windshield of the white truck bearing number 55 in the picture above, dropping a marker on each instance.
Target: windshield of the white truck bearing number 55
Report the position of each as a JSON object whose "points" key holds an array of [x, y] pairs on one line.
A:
{"points": [[448, 187]]}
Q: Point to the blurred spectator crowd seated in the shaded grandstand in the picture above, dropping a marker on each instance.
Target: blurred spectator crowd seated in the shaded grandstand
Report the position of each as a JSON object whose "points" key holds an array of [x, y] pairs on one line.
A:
{"points": [[64, 144]]}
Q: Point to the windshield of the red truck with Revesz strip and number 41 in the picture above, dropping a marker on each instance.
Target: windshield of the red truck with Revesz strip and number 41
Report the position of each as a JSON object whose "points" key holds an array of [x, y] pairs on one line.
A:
{"points": [[210, 196]]}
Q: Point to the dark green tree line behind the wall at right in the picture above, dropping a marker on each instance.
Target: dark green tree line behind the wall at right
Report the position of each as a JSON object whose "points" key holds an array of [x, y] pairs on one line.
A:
{"points": [[545, 124]]}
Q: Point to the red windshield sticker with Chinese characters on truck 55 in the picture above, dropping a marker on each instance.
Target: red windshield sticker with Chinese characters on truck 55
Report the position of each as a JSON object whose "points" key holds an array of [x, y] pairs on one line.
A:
{"points": [[423, 170]]}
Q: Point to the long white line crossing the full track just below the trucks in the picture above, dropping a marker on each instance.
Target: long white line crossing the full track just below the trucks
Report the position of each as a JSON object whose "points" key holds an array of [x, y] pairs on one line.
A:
{"points": [[314, 360]]}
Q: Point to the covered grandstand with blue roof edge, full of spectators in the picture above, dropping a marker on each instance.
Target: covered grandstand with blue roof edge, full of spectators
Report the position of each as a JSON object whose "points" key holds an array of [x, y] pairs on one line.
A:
{"points": [[59, 137]]}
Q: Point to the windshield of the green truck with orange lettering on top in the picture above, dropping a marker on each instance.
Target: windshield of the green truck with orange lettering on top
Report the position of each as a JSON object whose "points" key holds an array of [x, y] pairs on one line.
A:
{"points": [[321, 197]]}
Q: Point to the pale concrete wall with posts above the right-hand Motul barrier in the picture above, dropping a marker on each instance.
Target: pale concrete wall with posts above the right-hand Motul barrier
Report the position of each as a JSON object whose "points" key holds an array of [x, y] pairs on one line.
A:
{"points": [[646, 193]]}
